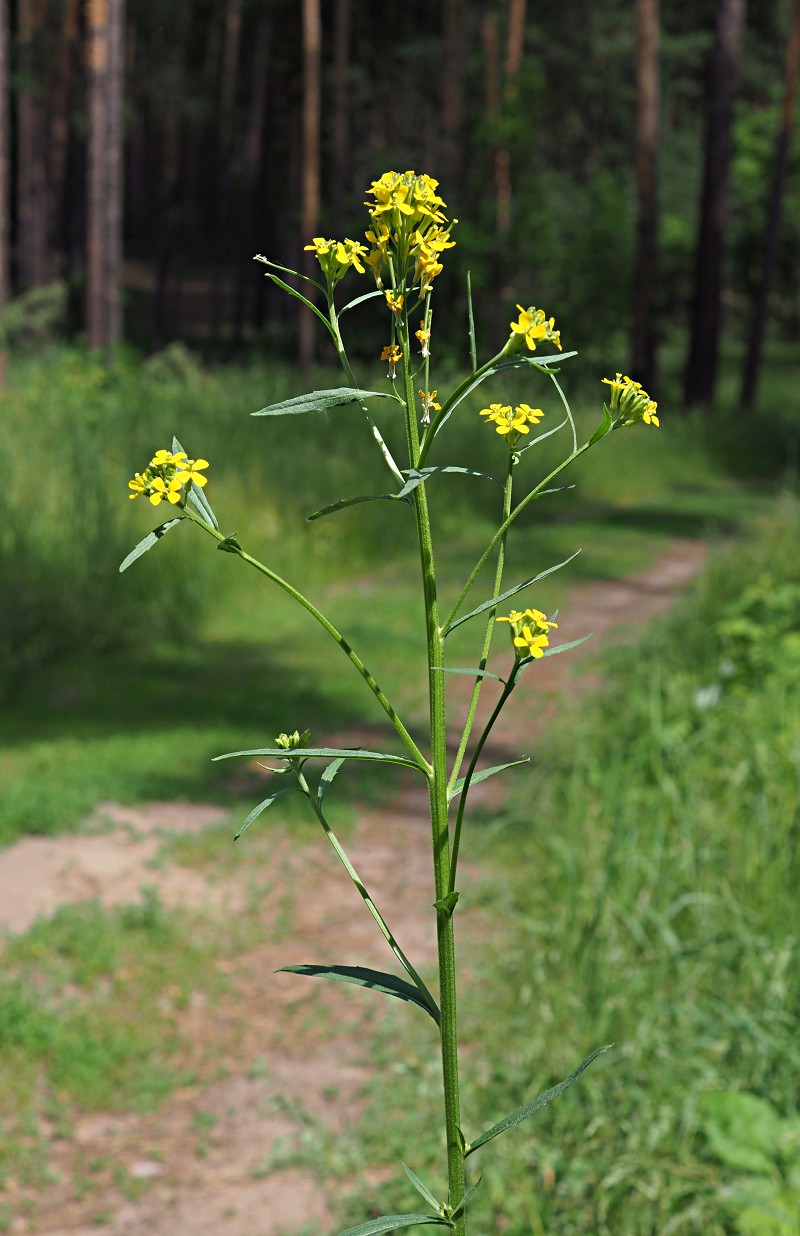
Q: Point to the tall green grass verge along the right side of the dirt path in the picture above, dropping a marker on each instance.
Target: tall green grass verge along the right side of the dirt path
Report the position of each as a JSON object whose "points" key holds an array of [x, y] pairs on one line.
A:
{"points": [[646, 895]]}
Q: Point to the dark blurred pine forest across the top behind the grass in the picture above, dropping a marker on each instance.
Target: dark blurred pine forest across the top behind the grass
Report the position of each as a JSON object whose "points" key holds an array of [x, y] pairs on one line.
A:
{"points": [[625, 167]]}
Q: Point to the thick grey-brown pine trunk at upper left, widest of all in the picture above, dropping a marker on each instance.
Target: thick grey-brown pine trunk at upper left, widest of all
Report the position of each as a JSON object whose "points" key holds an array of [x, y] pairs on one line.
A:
{"points": [[106, 27]]}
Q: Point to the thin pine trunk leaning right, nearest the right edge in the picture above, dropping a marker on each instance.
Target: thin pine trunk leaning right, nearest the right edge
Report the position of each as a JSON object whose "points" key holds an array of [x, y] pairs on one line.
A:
{"points": [[761, 306]]}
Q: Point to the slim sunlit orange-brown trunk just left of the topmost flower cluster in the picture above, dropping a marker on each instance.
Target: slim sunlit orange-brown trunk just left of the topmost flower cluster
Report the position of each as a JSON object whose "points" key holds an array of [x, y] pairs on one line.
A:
{"points": [[310, 210]]}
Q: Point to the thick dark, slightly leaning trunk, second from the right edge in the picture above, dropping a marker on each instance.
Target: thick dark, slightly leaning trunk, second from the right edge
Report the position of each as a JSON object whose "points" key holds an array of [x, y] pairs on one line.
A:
{"points": [[702, 369]]}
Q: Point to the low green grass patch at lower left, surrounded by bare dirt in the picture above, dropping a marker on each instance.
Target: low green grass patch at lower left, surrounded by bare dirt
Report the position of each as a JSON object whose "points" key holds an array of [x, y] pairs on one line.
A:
{"points": [[90, 1007]]}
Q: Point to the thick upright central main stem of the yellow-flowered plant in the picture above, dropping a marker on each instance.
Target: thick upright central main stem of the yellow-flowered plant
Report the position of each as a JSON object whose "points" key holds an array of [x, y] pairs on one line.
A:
{"points": [[438, 793]]}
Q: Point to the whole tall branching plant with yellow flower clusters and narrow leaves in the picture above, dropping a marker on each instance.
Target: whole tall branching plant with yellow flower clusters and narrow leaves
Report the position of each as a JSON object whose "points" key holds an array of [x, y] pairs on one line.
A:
{"points": [[405, 254]]}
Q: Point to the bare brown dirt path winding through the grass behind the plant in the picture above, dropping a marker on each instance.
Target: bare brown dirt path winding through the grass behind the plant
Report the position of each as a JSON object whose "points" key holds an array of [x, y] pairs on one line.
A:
{"points": [[163, 1177]]}
